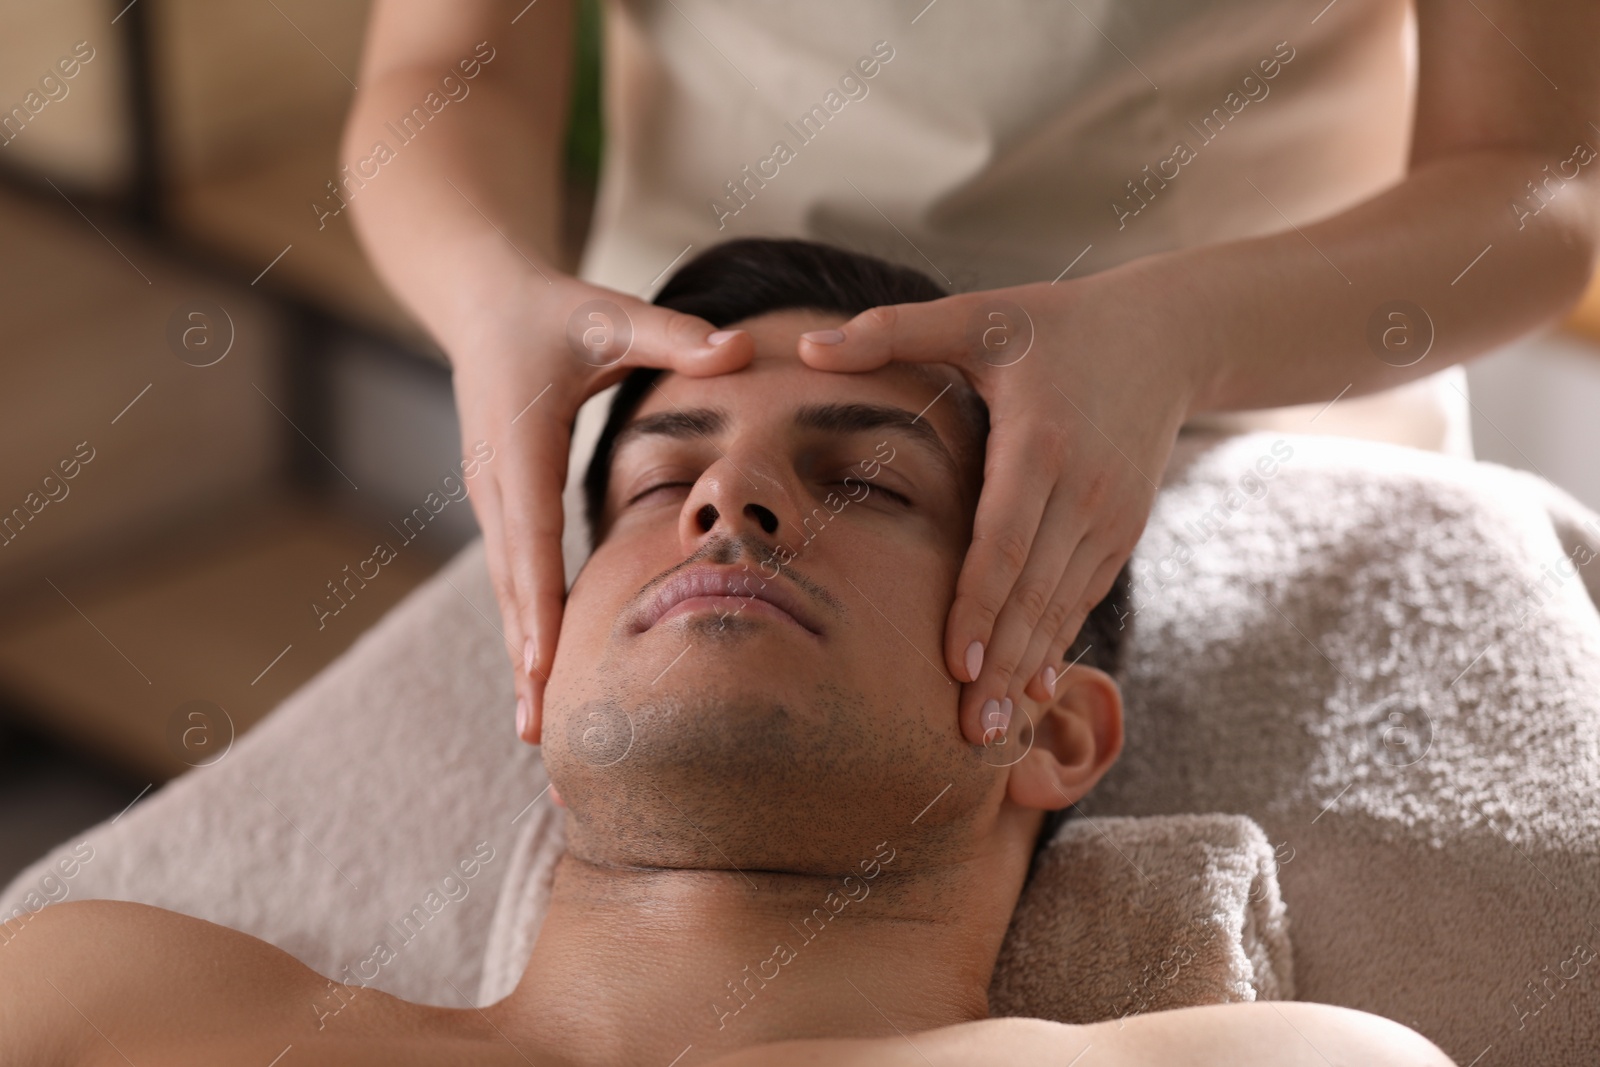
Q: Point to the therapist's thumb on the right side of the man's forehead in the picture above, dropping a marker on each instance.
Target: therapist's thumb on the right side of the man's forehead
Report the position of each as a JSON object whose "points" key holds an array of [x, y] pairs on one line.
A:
{"points": [[934, 332]]}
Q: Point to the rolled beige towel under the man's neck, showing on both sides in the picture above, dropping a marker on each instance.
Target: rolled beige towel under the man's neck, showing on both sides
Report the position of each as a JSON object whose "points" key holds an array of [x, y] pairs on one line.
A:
{"points": [[1122, 916]]}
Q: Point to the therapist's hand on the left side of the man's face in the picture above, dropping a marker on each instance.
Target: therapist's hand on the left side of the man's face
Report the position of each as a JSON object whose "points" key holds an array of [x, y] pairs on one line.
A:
{"points": [[521, 377]]}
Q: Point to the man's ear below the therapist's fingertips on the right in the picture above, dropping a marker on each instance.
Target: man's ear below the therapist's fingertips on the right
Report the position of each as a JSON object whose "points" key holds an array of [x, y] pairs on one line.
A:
{"points": [[1076, 741]]}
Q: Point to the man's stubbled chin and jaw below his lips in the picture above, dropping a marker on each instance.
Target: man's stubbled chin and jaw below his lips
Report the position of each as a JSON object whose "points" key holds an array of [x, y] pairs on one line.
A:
{"points": [[772, 767]]}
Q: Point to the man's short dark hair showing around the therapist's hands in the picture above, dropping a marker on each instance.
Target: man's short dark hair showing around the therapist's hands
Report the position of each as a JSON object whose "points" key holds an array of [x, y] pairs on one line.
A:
{"points": [[754, 276]]}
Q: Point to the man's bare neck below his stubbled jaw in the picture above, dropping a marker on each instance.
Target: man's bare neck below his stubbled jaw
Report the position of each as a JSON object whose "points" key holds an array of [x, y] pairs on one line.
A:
{"points": [[633, 967]]}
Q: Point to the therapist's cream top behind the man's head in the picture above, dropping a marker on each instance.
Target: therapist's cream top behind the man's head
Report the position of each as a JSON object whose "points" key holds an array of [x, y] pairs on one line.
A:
{"points": [[1010, 142]]}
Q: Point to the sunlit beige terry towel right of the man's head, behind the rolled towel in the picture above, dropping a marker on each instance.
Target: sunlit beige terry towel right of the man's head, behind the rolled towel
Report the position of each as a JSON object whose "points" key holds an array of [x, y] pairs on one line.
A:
{"points": [[1391, 661]]}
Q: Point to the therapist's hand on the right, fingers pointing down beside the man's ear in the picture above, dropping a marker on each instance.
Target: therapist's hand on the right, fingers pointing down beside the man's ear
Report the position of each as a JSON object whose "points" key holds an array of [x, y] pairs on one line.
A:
{"points": [[1086, 399]]}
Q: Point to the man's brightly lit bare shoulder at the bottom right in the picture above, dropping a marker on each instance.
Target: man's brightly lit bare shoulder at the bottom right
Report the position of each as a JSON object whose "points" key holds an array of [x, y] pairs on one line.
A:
{"points": [[1282, 1034]]}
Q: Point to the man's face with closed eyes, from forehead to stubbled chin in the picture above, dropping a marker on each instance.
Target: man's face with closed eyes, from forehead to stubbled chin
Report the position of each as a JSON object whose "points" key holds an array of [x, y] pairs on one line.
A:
{"points": [[750, 668]]}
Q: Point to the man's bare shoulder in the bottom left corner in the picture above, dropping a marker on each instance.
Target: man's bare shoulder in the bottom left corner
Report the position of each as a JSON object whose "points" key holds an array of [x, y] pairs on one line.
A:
{"points": [[86, 983]]}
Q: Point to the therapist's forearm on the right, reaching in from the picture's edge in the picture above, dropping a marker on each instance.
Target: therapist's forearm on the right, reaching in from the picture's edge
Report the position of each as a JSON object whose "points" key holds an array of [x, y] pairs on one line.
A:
{"points": [[1286, 319]]}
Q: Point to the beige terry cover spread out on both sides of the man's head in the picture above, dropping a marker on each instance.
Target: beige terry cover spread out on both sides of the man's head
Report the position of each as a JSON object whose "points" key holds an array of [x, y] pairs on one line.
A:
{"points": [[1390, 660]]}
